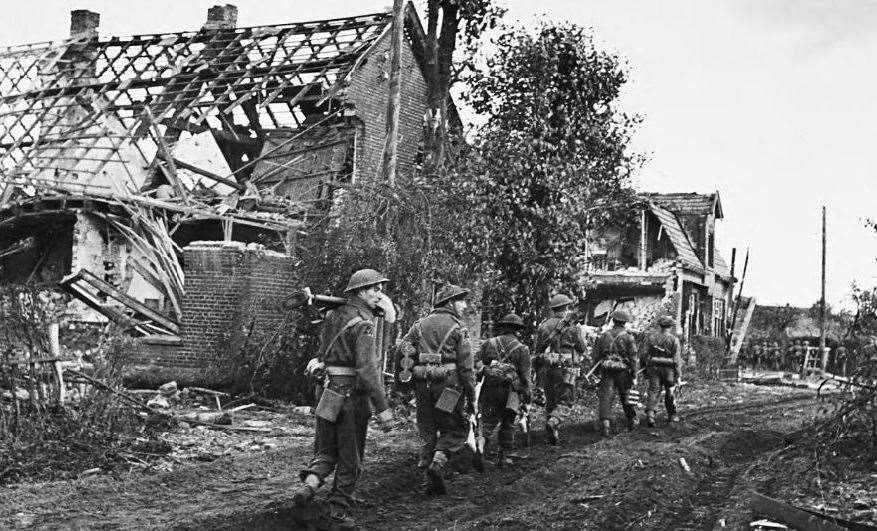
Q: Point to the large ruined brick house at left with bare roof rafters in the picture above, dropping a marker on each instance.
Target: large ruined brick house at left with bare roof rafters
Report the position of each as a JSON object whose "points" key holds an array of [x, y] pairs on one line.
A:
{"points": [[163, 179]]}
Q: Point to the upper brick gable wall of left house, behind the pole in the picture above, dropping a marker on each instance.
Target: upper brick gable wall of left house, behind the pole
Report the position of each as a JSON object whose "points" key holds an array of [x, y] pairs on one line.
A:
{"points": [[368, 91]]}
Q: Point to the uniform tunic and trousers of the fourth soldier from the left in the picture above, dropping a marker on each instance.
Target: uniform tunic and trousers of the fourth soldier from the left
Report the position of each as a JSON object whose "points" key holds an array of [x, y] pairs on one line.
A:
{"points": [[560, 366]]}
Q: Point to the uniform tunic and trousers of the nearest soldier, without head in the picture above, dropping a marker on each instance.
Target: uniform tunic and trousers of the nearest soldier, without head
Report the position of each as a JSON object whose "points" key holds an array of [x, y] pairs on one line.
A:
{"points": [[353, 370]]}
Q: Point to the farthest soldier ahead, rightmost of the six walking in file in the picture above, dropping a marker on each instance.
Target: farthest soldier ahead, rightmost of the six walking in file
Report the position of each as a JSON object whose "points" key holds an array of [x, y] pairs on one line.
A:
{"points": [[663, 362]]}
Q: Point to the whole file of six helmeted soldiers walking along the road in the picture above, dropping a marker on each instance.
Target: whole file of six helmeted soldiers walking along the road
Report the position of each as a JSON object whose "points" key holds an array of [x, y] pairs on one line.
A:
{"points": [[455, 387]]}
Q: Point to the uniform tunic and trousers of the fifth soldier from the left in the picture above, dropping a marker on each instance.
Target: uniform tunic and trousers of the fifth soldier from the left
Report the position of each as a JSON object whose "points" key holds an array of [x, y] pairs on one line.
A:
{"points": [[616, 342]]}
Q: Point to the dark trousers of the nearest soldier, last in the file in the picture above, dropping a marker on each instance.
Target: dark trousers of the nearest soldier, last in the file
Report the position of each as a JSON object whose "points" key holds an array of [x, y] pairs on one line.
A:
{"points": [[340, 446]]}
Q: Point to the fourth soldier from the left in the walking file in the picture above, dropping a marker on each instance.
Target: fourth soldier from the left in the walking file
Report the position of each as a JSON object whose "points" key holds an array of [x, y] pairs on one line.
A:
{"points": [[560, 348]]}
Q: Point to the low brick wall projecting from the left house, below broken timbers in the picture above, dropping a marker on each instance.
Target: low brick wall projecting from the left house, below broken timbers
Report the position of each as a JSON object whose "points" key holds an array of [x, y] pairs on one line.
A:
{"points": [[230, 288]]}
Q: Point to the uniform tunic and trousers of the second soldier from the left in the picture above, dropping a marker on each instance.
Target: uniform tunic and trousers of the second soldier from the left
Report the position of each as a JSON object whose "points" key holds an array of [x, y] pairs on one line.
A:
{"points": [[444, 360]]}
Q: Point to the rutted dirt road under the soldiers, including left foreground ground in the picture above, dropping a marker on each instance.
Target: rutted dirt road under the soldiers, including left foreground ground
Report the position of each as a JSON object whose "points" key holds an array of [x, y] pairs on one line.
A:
{"points": [[632, 480]]}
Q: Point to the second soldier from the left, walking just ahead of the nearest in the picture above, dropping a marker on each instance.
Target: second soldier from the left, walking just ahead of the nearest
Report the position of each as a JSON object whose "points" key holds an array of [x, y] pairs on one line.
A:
{"points": [[443, 375]]}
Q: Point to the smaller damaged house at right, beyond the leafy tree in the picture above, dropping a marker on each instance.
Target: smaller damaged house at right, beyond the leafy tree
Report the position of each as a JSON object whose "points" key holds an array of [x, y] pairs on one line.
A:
{"points": [[665, 262]]}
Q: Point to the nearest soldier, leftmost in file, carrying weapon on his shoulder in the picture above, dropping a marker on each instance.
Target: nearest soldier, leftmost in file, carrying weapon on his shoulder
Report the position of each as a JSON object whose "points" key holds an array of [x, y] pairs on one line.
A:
{"points": [[352, 368]]}
